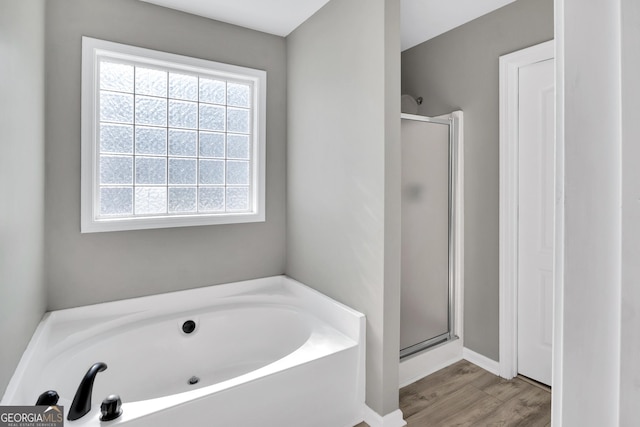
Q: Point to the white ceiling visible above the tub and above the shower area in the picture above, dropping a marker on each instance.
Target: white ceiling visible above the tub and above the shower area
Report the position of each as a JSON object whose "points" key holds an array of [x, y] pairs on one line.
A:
{"points": [[421, 19]]}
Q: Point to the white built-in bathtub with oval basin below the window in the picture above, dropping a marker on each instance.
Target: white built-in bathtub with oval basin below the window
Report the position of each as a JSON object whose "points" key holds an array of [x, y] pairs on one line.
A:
{"points": [[268, 352]]}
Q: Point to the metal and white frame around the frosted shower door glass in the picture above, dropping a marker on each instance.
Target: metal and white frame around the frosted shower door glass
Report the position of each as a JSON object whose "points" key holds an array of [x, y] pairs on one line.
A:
{"points": [[455, 232]]}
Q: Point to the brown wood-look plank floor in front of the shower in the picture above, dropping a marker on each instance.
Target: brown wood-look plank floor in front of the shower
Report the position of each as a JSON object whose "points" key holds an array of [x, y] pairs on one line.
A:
{"points": [[465, 395]]}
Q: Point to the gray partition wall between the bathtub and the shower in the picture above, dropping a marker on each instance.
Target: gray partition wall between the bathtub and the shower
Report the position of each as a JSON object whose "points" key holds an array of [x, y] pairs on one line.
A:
{"points": [[343, 154]]}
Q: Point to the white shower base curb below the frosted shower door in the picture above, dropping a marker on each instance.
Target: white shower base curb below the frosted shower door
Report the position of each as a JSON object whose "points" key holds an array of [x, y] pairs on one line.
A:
{"points": [[416, 367]]}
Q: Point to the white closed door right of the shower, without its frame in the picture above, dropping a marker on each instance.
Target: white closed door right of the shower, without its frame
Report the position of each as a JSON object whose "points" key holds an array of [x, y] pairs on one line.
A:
{"points": [[536, 141]]}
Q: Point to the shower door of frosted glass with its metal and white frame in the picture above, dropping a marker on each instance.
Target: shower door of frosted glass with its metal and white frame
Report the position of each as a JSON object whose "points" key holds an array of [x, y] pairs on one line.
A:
{"points": [[431, 222]]}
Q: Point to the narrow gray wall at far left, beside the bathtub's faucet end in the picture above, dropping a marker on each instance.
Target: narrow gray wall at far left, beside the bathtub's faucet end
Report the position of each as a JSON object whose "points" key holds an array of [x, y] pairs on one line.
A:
{"points": [[22, 292]]}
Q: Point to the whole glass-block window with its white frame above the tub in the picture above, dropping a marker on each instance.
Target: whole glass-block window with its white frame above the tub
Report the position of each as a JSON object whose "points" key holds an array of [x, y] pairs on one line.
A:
{"points": [[168, 140]]}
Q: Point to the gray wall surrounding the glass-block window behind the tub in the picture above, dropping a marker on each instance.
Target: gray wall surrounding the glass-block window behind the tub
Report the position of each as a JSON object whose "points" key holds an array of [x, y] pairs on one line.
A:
{"points": [[90, 268]]}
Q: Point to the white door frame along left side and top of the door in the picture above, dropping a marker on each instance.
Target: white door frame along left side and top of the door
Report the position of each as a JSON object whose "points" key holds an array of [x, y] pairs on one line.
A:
{"points": [[510, 65]]}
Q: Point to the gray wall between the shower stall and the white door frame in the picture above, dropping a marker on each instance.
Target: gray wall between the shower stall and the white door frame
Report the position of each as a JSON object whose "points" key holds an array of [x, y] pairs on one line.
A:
{"points": [[459, 70]]}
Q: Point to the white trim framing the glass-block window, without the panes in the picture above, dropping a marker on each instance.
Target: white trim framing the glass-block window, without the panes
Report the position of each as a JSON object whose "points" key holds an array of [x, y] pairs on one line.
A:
{"points": [[90, 223]]}
